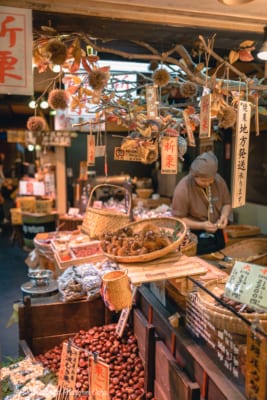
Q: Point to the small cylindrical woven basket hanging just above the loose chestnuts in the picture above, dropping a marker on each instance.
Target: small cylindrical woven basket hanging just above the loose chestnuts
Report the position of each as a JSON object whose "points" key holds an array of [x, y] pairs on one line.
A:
{"points": [[116, 290]]}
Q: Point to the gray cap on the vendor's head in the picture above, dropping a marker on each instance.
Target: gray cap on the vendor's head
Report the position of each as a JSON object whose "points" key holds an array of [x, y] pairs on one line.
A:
{"points": [[206, 164]]}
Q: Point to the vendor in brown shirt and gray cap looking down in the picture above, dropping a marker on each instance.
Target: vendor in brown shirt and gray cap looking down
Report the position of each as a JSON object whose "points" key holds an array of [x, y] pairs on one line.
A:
{"points": [[203, 201]]}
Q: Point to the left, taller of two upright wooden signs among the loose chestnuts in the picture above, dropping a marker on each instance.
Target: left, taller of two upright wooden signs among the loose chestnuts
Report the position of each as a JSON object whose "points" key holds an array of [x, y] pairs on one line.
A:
{"points": [[67, 372]]}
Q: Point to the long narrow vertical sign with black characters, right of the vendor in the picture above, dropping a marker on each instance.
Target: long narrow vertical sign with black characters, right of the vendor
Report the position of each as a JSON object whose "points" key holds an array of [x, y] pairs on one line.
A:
{"points": [[241, 154]]}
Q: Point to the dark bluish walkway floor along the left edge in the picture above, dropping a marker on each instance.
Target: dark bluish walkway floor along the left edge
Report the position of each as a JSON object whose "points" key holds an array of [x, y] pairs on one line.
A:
{"points": [[13, 272]]}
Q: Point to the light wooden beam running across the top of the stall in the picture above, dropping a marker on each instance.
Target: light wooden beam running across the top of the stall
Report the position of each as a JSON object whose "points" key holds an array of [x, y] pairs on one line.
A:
{"points": [[151, 13]]}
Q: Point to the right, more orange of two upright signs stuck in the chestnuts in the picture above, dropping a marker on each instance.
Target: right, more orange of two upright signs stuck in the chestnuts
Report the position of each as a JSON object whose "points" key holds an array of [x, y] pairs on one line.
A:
{"points": [[99, 379]]}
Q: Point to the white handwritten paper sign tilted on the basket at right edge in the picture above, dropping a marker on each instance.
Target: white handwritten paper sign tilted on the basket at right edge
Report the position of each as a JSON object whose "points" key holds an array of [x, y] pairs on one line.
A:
{"points": [[248, 284]]}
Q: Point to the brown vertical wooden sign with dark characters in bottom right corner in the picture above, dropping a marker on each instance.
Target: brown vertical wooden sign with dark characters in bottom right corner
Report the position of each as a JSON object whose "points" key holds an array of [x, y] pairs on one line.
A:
{"points": [[256, 366]]}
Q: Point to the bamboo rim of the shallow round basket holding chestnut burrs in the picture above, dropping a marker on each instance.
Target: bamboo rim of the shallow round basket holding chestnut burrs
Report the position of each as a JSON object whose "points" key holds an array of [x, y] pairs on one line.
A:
{"points": [[174, 227]]}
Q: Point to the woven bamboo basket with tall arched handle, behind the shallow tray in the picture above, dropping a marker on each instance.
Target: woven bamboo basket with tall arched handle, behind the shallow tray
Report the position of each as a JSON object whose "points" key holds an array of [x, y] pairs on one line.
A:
{"points": [[97, 221]]}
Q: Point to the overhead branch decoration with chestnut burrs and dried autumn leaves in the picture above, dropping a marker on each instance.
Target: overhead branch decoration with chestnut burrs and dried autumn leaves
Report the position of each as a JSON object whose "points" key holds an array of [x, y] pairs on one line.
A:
{"points": [[173, 69]]}
